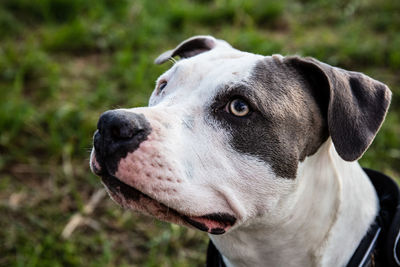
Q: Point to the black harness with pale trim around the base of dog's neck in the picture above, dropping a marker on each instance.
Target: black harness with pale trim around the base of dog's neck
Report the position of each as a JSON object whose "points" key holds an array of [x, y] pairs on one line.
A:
{"points": [[379, 247]]}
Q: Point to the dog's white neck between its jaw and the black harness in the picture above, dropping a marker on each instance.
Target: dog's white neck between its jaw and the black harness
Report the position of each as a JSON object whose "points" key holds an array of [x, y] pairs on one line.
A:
{"points": [[320, 224]]}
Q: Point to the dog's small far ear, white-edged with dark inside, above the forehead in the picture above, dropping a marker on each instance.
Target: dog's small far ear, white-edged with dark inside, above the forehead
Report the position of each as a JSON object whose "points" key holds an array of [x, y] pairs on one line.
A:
{"points": [[189, 48]]}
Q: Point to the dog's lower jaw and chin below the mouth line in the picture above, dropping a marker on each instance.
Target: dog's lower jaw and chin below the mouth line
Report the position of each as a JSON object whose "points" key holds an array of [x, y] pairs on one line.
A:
{"points": [[129, 197]]}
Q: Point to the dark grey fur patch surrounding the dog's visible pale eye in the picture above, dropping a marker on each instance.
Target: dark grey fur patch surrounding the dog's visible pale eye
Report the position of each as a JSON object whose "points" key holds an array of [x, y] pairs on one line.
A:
{"points": [[286, 123]]}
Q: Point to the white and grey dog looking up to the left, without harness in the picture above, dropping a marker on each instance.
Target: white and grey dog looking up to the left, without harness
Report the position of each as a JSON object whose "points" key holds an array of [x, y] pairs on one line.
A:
{"points": [[258, 151]]}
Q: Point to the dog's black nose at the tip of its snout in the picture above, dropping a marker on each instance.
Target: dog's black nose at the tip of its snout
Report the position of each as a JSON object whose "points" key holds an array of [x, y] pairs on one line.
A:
{"points": [[119, 132]]}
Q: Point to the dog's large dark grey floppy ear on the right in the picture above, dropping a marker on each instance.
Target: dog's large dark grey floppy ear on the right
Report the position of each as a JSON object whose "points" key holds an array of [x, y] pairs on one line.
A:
{"points": [[354, 104]]}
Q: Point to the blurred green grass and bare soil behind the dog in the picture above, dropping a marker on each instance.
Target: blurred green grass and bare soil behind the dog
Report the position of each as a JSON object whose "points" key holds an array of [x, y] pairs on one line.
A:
{"points": [[64, 62]]}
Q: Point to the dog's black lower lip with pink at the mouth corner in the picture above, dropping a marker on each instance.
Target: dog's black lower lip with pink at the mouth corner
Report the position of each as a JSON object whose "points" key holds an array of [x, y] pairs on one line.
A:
{"points": [[213, 223]]}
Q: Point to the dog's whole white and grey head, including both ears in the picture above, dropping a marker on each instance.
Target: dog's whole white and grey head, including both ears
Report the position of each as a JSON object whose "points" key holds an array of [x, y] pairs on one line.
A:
{"points": [[225, 131]]}
